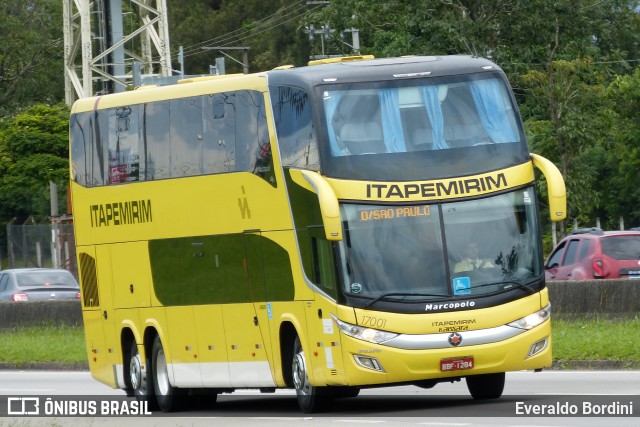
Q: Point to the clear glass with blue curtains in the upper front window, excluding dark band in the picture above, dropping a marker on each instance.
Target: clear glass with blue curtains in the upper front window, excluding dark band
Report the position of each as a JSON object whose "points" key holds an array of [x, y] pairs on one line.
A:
{"points": [[421, 117]]}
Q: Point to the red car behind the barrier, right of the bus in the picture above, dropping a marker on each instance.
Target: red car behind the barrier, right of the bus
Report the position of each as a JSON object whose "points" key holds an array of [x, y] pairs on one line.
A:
{"points": [[591, 253]]}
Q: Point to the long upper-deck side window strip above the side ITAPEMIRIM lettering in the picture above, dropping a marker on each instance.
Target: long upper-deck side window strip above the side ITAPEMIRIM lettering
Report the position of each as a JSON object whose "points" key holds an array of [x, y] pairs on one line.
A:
{"points": [[200, 135]]}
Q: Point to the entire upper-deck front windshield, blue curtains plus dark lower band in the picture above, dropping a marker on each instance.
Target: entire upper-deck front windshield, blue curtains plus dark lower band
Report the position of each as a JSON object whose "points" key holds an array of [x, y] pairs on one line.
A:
{"points": [[419, 129]]}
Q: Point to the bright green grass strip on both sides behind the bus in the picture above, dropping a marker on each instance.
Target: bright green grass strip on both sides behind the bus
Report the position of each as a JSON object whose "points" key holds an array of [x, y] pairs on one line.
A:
{"points": [[612, 341]]}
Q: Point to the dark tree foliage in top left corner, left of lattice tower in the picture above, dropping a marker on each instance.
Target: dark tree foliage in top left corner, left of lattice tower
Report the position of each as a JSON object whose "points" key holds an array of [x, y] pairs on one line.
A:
{"points": [[31, 54]]}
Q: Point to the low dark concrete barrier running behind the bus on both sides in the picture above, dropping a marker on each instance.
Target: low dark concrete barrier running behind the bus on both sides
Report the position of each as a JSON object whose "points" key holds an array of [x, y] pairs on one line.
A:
{"points": [[584, 298]]}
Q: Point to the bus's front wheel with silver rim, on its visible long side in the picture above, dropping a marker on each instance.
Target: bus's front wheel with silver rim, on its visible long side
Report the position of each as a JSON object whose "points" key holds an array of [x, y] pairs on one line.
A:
{"points": [[310, 398]]}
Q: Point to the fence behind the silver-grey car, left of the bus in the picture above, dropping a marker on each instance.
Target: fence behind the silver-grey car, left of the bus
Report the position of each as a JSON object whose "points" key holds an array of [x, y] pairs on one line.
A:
{"points": [[37, 243]]}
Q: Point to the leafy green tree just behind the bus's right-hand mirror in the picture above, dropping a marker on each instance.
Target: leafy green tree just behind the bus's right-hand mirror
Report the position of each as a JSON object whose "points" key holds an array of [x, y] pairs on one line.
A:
{"points": [[576, 122]]}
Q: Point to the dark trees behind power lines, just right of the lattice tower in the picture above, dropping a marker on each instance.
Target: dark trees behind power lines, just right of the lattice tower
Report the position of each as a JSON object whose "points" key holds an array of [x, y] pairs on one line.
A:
{"points": [[269, 29]]}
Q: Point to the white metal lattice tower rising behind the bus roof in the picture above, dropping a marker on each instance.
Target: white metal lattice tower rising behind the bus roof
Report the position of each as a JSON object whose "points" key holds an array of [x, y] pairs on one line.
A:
{"points": [[104, 39]]}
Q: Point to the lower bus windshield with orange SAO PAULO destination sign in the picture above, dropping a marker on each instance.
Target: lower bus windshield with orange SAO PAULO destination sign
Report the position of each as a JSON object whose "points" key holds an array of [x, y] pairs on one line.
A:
{"points": [[426, 251]]}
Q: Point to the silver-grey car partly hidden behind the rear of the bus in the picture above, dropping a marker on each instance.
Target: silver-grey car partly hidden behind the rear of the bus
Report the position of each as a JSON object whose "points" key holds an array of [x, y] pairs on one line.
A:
{"points": [[38, 284]]}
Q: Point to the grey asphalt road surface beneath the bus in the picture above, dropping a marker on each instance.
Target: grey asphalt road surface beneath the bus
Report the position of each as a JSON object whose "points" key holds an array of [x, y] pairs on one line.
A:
{"points": [[444, 405]]}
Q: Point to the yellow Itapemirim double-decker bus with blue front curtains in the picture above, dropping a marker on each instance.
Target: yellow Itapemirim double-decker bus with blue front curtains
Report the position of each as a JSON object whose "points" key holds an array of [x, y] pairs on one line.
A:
{"points": [[311, 228]]}
